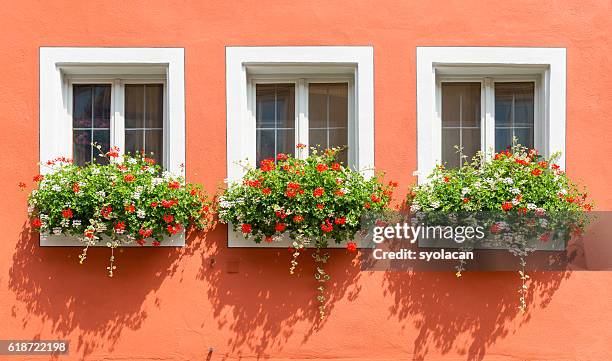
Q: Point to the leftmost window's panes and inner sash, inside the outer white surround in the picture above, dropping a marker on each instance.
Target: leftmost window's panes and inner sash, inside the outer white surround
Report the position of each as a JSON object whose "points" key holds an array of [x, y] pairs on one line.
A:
{"points": [[140, 113]]}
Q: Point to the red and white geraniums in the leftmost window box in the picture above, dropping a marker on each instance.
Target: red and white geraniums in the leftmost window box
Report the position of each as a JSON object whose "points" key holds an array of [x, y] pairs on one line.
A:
{"points": [[128, 200]]}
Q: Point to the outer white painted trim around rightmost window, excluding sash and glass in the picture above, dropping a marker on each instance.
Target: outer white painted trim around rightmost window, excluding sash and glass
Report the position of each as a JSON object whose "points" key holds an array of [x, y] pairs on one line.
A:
{"points": [[491, 61]]}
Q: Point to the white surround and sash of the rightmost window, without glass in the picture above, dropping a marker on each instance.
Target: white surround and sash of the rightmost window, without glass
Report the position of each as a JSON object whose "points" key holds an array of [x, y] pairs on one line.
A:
{"points": [[545, 66]]}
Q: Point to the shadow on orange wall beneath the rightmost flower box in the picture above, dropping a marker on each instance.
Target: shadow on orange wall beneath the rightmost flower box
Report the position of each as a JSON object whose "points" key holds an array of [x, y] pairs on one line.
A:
{"points": [[464, 315]]}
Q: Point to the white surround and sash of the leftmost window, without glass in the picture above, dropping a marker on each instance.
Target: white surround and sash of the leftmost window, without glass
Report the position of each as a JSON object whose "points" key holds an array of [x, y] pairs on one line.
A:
{"points": [[60, 67]]}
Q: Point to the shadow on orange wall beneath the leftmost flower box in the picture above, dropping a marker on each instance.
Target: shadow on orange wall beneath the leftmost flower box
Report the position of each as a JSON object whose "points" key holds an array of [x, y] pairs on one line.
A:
{"points": [[86, 305]]}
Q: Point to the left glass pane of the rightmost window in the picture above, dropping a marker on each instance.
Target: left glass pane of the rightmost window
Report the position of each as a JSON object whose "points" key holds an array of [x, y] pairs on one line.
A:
{"points": [[461, 120]]}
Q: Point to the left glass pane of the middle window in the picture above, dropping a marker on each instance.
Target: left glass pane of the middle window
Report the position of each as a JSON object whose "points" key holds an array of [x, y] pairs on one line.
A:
{"points": [[275, 120]]}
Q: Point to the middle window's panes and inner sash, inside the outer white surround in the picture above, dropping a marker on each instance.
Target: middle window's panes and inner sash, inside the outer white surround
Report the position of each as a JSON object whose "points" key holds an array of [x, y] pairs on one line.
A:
{"points": [[281, 123]]}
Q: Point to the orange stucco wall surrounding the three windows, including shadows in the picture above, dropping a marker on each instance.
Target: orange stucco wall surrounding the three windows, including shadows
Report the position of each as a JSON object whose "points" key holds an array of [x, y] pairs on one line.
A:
{"points": [[175, 304]]}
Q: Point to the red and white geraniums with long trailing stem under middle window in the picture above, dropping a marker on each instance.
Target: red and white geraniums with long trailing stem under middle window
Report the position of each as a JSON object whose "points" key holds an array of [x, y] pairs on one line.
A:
{"points": [[313, 201]]}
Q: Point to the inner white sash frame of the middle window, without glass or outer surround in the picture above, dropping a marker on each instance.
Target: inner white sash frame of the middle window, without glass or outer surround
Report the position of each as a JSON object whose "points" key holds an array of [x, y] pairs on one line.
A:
{"points": [[301, 82]]}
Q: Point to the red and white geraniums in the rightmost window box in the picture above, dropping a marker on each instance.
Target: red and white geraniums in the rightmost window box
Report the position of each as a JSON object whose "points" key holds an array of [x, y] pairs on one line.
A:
{"points": [[520, 197]]}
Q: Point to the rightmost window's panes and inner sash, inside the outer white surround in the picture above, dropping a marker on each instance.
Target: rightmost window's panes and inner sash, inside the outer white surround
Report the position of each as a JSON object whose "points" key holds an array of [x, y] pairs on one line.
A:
{"points": [[463, 113]]}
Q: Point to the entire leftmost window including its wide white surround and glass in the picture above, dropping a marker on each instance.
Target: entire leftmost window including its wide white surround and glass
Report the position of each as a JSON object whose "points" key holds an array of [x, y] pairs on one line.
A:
{"points": [[132, 98]]}
